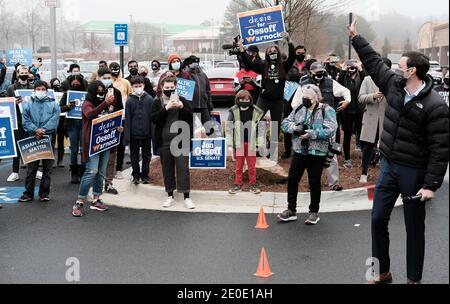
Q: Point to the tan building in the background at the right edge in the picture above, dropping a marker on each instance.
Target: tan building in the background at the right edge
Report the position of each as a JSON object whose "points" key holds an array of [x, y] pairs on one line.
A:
{"points": [[433, 41]]}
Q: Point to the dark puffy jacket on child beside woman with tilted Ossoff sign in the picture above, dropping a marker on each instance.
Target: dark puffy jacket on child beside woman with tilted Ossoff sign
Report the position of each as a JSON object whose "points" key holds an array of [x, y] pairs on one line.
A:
{"points": [[138, 120]]}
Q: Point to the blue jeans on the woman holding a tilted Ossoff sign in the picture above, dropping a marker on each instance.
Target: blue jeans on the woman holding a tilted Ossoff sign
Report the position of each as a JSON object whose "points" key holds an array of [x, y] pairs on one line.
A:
{"points": [[94, 175]]}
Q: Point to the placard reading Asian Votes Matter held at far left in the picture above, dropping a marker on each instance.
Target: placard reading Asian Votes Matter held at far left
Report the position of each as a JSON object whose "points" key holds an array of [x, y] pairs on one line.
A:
{"points": [[32, 149]]}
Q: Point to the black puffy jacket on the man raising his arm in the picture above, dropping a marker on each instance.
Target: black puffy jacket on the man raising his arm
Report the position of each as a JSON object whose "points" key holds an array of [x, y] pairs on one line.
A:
{"points": [[416, 134]]}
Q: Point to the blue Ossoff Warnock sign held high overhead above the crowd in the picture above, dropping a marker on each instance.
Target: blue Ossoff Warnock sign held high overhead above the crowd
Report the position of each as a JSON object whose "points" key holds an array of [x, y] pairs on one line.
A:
{"points": [[262, 26]]}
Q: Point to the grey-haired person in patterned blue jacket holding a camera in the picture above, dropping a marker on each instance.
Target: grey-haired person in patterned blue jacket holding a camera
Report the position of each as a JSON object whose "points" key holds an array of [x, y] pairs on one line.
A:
{"points": [[313, 126]]}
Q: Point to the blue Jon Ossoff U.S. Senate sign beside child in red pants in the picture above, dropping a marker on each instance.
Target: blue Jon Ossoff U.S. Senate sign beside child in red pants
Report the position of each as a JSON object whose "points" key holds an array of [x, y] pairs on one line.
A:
{"points": [[208, 154]]}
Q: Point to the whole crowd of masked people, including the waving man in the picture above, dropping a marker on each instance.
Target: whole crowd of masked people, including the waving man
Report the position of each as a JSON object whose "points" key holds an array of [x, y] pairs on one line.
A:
{"points": [[396, 115]]}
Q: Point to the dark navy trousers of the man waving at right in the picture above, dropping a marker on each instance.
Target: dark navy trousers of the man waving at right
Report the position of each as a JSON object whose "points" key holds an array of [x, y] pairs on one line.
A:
{"points": [[394, 180]]}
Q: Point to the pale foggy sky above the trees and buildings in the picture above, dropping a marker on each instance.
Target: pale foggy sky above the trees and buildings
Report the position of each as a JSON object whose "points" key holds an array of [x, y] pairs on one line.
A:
{"points": [[196, 11]]}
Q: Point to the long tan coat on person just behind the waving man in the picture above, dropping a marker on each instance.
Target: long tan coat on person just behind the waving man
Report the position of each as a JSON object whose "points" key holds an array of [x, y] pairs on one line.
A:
{"points": [[375, 111]]}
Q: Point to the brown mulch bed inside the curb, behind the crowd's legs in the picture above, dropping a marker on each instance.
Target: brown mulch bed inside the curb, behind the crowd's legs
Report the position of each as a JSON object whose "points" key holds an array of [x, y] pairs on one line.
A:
{"points": [[222, 180]]}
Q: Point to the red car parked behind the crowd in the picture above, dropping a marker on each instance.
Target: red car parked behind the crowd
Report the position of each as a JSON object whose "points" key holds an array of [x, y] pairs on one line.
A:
{"points": [[222, 84]]}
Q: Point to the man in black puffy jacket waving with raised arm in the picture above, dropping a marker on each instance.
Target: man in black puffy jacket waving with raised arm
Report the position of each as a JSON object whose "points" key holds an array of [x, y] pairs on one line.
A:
{"points": [[414, 147]]}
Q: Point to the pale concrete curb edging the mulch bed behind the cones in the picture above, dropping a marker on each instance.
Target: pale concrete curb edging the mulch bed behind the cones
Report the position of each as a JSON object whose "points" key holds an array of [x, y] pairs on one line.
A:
{"points": [[148, 197]]}
